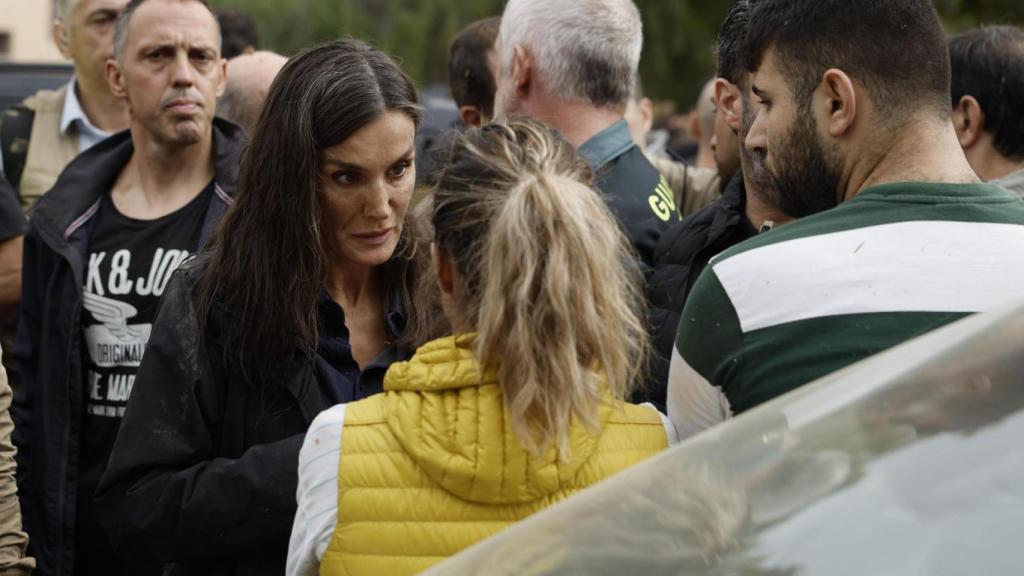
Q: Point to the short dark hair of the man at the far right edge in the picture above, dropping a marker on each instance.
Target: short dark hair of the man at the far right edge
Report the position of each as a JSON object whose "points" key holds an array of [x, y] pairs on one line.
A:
{"points": [[989, 64]]}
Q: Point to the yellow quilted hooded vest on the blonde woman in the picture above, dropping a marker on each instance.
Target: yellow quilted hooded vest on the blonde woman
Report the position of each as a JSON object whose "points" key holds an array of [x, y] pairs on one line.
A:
{"points": [[433, 466]]}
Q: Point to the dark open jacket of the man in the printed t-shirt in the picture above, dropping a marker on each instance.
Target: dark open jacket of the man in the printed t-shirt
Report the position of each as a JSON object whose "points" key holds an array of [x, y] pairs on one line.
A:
{"points": [[48, 406]]}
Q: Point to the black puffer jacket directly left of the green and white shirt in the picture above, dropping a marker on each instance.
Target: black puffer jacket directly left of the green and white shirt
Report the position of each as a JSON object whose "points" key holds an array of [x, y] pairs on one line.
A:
{"points": [[681, 256]]}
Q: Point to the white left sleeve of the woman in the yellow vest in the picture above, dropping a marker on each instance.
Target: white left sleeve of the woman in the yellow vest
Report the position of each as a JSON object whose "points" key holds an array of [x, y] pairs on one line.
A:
{"points": [[318, 495]]}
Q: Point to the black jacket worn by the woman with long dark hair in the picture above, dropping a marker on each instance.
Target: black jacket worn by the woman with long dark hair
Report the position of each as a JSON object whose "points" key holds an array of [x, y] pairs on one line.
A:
{"points": [[216, 495]]}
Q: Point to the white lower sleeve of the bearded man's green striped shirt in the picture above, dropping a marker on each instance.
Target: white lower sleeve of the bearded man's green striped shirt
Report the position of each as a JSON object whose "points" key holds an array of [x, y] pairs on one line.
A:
{"points": [[694, 404]]}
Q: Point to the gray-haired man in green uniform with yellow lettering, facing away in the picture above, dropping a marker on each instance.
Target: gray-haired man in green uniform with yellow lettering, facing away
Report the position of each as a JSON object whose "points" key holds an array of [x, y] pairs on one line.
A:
{"points": [[573, 64]]}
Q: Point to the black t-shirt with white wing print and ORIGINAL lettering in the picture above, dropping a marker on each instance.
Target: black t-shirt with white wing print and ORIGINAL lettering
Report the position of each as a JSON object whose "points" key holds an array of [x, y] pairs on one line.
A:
{"points": [[130, 265]]}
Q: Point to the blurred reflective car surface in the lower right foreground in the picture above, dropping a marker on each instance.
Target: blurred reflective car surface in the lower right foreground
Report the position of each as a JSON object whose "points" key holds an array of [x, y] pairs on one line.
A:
{"points": [[909, 464]]}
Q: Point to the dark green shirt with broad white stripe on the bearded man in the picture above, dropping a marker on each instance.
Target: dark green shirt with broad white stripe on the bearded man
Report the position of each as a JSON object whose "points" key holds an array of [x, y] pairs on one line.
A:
{"points": [[794, 305]]}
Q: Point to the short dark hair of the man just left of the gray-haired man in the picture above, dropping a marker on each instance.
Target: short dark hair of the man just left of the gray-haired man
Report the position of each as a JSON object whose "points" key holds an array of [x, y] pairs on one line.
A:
{"points": [[470, 76]]}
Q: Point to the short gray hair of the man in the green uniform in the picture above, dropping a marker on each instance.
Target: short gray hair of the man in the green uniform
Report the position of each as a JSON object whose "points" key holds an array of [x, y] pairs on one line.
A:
{"points": [[586, 51]]}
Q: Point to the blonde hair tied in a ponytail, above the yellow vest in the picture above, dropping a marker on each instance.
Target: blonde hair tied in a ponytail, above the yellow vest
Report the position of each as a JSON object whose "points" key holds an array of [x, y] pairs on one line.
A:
{"points": [[556, 291]]}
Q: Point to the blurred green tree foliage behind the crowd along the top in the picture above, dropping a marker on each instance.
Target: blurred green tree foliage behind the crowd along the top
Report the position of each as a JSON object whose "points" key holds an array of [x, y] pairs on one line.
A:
{"points": [[679, 35]]}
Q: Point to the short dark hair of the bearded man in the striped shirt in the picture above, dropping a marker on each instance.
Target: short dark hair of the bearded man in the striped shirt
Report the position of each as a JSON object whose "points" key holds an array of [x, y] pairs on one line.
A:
{"points": [[895, 49]]}
